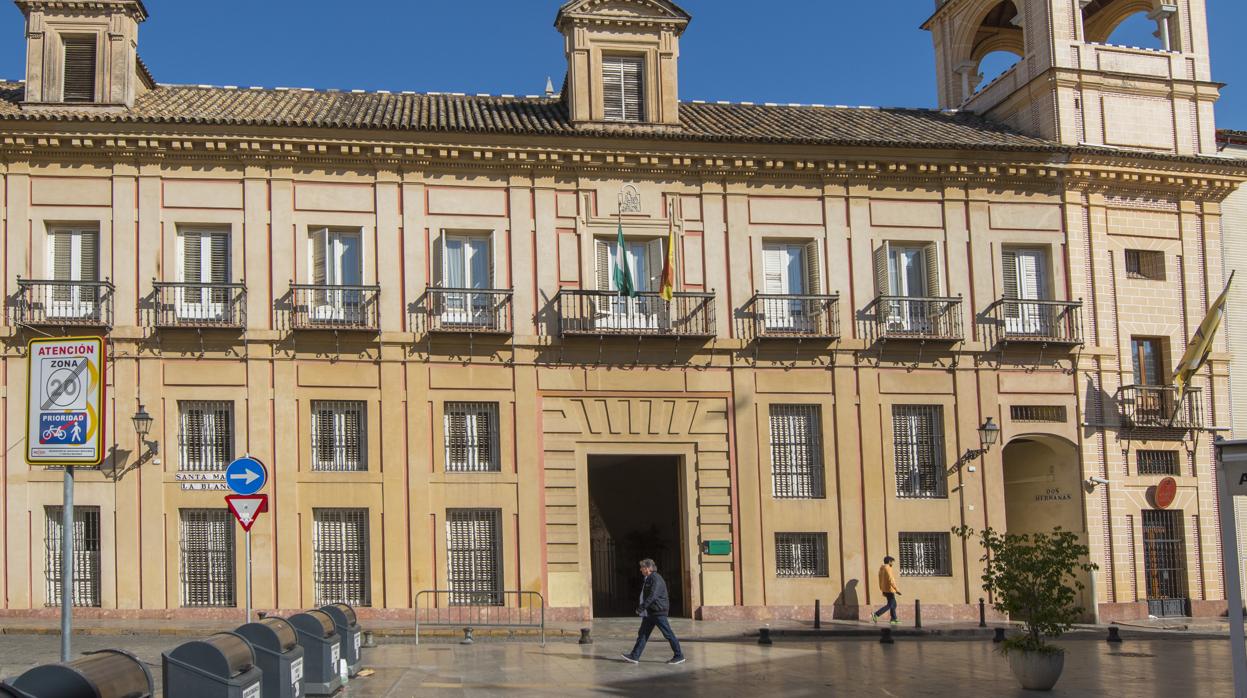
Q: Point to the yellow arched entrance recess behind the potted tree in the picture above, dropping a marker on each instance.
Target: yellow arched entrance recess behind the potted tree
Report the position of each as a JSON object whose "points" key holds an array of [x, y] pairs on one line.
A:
{"points": [[1044, 490]]}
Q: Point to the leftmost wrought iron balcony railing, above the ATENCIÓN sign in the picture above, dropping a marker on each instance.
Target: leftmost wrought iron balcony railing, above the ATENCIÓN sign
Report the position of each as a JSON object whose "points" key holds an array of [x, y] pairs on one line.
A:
{"points": [[57, 304]]}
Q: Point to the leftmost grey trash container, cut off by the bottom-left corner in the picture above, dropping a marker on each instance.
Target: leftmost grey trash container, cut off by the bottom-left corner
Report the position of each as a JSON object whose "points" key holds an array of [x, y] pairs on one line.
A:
{"points": [[109, 674]]}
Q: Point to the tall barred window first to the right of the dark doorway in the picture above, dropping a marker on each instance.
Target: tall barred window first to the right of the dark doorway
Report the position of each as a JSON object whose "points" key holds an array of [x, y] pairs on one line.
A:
{"points": [[796, 452]]}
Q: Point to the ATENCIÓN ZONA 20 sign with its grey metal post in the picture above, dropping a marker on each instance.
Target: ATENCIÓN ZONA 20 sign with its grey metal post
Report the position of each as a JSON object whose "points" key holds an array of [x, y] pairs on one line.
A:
{"points": [[65, 428]]}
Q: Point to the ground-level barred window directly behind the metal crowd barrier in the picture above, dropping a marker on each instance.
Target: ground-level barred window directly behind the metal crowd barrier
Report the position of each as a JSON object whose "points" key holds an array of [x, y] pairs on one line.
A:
{"points": [[474, 557]]}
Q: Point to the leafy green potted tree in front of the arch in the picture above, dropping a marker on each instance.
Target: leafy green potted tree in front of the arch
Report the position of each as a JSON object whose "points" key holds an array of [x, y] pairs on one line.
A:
{"points": [[1033, 578]]}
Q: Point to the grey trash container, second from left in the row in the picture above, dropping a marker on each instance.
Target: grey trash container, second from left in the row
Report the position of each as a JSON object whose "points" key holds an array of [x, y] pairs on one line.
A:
{"points": [[220, 666]]}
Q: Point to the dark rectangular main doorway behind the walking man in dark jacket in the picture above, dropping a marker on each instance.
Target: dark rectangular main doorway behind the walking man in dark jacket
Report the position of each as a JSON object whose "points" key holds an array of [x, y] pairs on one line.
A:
{"points": [[634, 513]]}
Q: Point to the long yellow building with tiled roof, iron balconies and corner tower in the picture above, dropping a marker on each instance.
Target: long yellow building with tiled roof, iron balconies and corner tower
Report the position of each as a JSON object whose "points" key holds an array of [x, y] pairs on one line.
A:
{"points": [[408, 308]]}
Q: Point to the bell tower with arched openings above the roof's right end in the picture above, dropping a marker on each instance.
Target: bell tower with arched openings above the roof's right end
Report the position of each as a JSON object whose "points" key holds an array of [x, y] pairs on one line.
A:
{"points": [[1071, 85]]}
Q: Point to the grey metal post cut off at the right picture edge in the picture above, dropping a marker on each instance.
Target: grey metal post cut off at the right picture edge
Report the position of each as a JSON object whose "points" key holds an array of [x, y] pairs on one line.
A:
{"points": [[1233, 472]]}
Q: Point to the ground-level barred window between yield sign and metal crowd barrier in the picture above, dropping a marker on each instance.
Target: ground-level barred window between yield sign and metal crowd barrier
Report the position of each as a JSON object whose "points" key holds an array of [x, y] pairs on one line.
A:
{"points": [[341, 557]]}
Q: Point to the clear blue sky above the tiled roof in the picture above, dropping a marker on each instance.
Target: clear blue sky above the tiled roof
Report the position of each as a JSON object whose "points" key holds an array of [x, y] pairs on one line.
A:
{"points": [[807, 52]]}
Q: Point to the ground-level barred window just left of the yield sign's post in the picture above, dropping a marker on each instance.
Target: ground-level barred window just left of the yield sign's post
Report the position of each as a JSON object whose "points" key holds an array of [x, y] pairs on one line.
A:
{"points": [[208, 540]]}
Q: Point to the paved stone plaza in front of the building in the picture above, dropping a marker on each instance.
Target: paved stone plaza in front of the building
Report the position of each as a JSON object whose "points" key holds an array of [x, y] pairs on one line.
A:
{"points": [[1165, 666]]}
